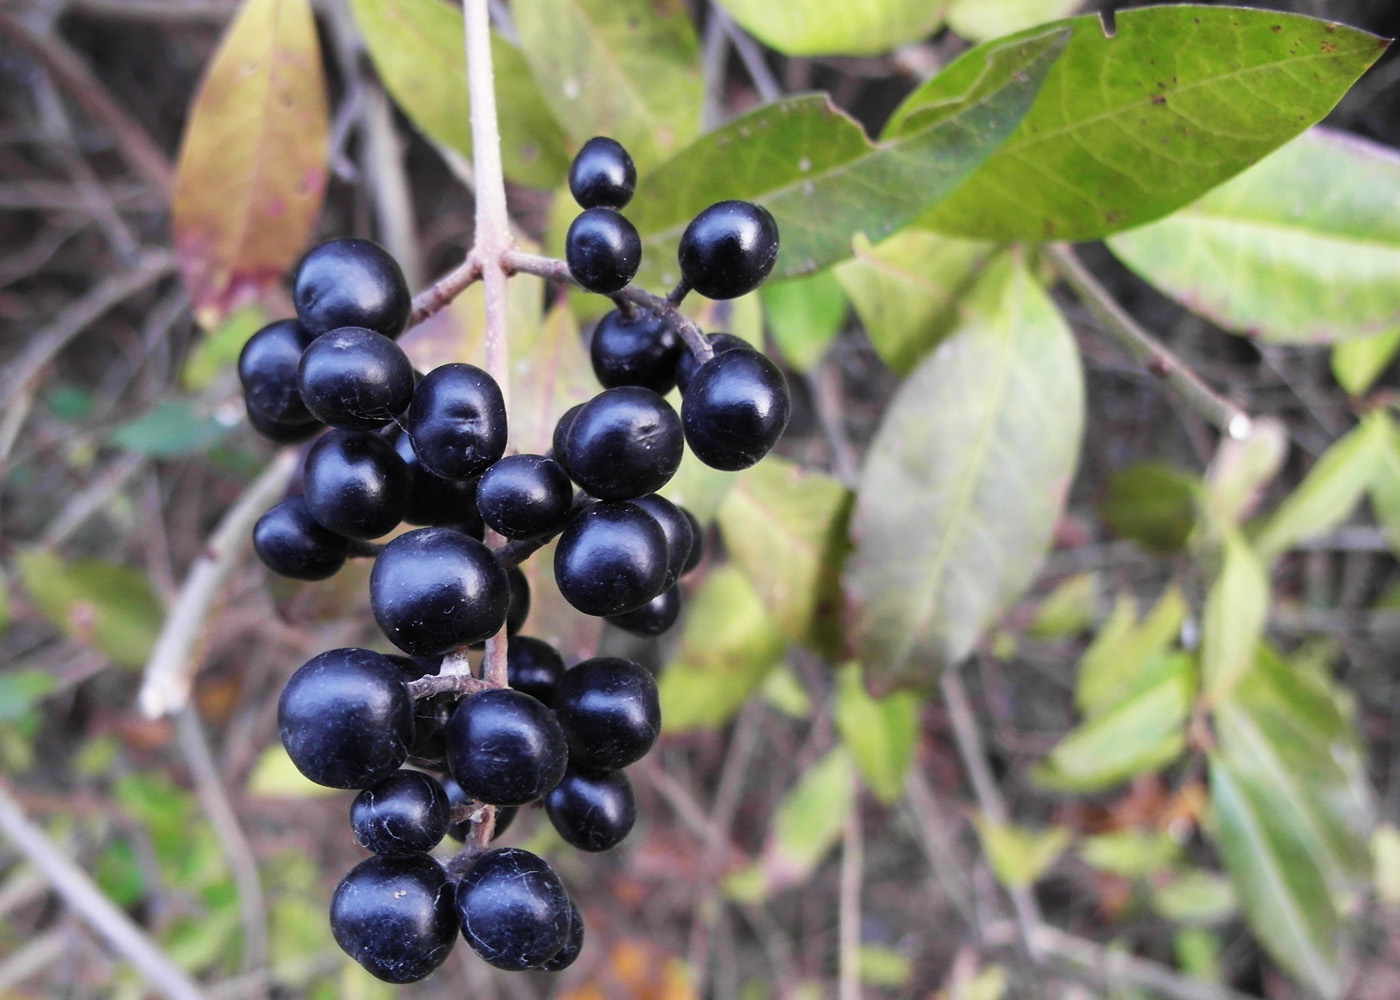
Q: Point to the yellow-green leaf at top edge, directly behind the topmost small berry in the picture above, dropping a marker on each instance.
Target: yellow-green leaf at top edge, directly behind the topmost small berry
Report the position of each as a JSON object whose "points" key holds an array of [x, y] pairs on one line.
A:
{"points": [[629, 69]]}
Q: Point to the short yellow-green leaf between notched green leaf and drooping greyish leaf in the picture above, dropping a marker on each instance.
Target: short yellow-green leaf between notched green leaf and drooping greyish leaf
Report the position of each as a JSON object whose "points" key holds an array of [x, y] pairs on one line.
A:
{"points": [[908, 291]]}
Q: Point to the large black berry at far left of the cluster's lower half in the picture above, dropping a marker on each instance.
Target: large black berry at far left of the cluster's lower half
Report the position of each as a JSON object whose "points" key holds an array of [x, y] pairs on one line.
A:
{"points": [[346, 719]]}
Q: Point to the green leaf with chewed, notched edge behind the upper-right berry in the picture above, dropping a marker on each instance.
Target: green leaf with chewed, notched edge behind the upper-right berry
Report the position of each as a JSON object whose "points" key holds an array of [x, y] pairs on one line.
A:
{"points": [[824, 181]]}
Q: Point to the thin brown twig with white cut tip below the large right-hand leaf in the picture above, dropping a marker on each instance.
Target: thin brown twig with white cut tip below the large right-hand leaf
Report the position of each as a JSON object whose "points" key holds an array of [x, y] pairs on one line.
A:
{"points": [[1228, 418]]}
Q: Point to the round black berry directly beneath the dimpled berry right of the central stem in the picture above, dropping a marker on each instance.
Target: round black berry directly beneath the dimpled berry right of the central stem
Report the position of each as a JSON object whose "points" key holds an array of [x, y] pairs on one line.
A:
{"points": [[611, 560]]}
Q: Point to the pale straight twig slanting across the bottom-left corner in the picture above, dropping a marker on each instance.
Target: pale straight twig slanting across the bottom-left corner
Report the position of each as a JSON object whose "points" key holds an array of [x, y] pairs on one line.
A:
{"points": [[92, 905]]}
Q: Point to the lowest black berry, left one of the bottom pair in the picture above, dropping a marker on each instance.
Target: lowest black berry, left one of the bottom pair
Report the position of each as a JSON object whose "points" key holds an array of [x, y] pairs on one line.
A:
{"points": [[395, 915]]}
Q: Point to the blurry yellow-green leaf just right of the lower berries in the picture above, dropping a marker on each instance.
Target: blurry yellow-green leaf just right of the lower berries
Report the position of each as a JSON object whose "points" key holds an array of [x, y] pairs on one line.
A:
{"points": [[727, 648]]}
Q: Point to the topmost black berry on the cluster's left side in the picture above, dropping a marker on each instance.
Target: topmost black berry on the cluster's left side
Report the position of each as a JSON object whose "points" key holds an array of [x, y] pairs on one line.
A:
{"points": [[351, 284]]}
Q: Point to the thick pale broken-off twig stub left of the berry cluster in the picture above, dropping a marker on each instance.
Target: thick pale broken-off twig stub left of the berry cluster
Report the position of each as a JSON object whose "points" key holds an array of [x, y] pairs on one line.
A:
{"points": [[170, 673]]}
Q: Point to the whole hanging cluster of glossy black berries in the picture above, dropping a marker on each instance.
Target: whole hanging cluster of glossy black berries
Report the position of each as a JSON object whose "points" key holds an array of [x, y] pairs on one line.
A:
{"points": [[430, 450]]}
